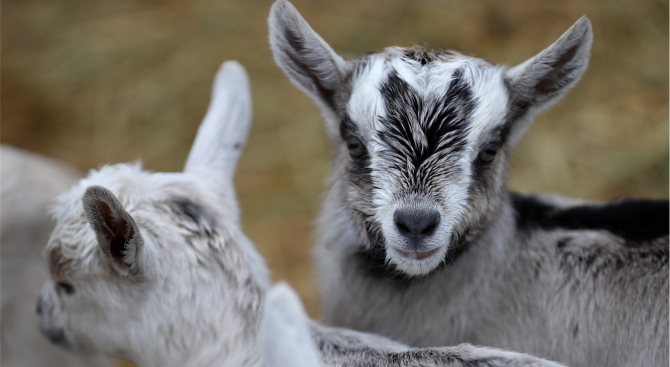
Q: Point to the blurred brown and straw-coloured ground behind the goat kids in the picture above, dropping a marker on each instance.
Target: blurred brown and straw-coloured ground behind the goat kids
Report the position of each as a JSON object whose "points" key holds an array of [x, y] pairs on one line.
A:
{"points": [[94, 82]]}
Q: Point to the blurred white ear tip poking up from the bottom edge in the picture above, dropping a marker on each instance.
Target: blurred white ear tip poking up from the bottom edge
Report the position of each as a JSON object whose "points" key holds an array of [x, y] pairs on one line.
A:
{"points": [[285, 337]]}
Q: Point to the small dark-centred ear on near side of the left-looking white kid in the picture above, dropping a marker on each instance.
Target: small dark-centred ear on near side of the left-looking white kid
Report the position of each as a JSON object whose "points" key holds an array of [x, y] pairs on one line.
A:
{"points": [[116, 231]]}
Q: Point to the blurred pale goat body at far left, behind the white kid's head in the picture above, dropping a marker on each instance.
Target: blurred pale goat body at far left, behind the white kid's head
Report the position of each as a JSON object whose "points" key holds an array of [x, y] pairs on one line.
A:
{"points": [[30, 183]]}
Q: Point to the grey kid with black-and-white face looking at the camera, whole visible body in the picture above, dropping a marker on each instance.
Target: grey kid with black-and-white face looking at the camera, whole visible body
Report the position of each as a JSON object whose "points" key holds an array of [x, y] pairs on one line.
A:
{"points": [[420, 239]]}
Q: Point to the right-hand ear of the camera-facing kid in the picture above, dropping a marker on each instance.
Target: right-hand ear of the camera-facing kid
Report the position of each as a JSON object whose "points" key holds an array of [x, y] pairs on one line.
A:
{"points": [[544, 79]]}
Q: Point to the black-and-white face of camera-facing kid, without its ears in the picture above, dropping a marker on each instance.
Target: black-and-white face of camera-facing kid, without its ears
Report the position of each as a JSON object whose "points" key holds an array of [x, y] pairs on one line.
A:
{"points": [[423, 137]]}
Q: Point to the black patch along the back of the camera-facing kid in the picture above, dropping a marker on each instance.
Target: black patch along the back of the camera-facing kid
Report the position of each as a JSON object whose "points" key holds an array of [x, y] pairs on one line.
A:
{"points": [[636, 220]]}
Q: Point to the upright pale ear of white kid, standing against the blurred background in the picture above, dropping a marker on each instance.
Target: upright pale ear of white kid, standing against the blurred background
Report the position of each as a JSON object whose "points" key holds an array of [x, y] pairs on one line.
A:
{"points": [[223, 132]]}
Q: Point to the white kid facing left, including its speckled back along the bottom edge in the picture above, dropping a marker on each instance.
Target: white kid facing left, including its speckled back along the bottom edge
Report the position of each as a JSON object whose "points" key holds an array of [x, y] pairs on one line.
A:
{"points": [[154, 268]]}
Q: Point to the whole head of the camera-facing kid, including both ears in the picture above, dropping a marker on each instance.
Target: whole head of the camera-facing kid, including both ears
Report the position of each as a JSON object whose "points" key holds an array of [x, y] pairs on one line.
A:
{"points": [[424, 137]]}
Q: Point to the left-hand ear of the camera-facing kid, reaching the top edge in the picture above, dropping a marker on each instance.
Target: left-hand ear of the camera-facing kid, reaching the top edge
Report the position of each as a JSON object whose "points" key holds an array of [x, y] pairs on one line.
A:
{"points": [[306, 58]]}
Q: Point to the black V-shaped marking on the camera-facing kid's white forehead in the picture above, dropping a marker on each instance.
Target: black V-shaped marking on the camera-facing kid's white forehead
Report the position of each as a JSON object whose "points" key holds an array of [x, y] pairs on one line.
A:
{"points": [[441, 123]]}
